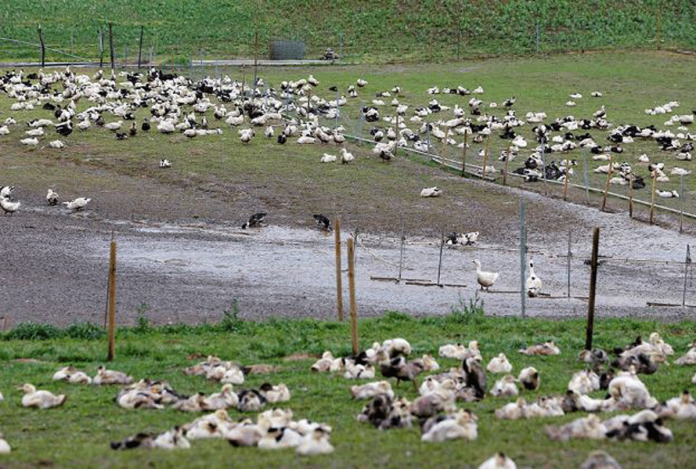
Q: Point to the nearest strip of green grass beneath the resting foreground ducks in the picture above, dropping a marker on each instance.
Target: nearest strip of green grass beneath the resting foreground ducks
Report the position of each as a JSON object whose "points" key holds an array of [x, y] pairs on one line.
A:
{"points": [[79, 432]]}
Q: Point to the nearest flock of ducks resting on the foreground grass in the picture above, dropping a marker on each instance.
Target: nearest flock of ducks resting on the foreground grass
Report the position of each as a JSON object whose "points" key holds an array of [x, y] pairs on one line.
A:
{"points": [[434, 411]]}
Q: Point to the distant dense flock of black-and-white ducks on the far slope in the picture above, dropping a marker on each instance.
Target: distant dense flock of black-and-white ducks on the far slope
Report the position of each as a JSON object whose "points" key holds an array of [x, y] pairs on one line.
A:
{"points": [[179, 105]]}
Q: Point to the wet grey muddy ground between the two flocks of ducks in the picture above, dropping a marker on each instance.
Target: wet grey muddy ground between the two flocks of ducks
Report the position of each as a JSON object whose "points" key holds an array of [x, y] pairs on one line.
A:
{"points": [[183, 258]]}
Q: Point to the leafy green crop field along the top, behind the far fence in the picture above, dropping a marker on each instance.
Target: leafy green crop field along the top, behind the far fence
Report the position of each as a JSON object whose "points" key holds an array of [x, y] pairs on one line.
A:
{"points": [[389, 31]]}
